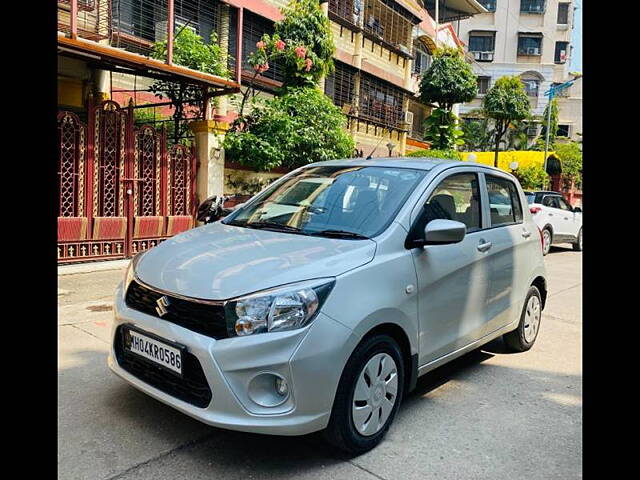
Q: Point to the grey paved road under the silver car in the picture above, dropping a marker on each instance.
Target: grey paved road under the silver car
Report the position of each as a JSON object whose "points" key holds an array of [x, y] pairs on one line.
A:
{"points": [[487, 415]]}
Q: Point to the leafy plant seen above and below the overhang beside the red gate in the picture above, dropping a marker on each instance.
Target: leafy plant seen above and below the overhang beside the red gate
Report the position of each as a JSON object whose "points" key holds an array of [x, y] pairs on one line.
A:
{"points": [[189, 50]]}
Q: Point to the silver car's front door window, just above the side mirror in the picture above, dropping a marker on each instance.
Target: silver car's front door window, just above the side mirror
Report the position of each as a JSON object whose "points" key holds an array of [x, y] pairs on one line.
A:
{"points": [[457, 197]]}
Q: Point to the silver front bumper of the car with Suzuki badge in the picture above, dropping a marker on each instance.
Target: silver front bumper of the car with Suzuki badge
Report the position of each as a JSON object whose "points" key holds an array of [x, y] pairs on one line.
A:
{"points": [[311, 360]]}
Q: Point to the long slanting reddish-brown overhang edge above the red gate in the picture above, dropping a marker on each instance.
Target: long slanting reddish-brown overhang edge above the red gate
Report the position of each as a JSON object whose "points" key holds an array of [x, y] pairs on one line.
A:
{"points": [[109, 58]]}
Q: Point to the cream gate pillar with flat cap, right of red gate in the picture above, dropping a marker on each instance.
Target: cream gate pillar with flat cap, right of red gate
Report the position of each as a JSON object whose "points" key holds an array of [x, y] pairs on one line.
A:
{"points": [[210, 157]]}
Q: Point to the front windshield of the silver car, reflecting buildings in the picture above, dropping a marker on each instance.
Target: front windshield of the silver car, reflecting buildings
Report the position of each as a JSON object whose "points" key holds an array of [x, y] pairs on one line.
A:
{"points": [[351, 202]]}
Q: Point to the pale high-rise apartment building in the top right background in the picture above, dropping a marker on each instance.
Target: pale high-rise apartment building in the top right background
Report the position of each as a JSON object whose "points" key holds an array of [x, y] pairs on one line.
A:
{"points": [[527, 38]]}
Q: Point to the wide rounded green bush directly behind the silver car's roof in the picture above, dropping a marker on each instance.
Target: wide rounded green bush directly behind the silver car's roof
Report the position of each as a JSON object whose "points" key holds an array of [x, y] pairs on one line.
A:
{"points": [[298, 127]]}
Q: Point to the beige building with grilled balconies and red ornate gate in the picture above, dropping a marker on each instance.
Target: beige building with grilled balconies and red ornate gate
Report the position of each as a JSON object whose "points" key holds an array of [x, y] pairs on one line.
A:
{"points": [[131, 173]]}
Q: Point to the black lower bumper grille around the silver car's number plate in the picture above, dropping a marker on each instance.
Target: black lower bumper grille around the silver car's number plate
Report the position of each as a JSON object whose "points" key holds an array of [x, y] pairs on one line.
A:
{"points": [[191, 388]]}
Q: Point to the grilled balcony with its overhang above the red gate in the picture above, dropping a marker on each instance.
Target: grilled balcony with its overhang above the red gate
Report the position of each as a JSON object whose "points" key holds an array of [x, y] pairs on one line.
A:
{"points": [[120, 34]]}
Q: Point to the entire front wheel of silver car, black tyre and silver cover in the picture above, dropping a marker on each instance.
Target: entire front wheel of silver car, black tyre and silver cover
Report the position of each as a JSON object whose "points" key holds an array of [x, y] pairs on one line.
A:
{"points": [[368, 395]]}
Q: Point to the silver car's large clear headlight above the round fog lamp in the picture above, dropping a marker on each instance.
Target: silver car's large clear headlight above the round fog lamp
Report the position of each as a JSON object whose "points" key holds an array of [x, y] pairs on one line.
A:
{"points": [[277, 309]]}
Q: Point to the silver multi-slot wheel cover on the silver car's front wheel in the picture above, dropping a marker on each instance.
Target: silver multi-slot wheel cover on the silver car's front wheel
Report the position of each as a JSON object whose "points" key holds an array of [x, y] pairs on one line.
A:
{"points": [[375, 394]]}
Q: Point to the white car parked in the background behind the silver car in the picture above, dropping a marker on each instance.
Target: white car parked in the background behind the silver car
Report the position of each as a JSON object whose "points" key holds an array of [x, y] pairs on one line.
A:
{"points": [[558, 221]]}
